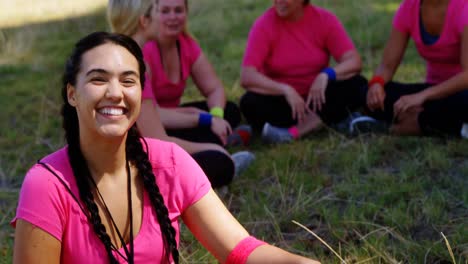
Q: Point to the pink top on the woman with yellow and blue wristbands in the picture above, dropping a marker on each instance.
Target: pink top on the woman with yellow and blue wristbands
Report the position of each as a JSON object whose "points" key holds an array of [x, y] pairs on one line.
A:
{"points": [[158, 86]]}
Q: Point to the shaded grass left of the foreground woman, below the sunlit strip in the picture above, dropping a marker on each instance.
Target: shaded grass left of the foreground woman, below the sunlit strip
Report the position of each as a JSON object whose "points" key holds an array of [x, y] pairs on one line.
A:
{"points": [[32, 58]]}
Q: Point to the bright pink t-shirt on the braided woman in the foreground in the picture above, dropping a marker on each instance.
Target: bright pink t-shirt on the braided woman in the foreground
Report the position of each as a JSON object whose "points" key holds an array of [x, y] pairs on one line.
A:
{"points": [[46, 203]]}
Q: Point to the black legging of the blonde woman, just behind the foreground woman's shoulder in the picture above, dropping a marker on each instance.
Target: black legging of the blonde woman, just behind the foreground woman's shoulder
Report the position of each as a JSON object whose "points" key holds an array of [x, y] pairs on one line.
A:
{"points": [[217, 166]]}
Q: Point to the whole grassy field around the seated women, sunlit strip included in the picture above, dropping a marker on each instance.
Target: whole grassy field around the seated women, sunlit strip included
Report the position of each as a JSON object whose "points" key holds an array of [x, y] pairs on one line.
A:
{"points": [[373, 199]]}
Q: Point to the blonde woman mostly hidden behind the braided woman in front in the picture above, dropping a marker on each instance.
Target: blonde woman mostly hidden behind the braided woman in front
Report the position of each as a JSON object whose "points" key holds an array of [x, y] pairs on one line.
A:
{"points": [[138, 20]]}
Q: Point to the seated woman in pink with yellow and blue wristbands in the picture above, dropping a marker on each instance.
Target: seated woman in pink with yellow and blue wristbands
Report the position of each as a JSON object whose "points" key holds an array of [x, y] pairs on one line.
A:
{"points": [[174, 56]]}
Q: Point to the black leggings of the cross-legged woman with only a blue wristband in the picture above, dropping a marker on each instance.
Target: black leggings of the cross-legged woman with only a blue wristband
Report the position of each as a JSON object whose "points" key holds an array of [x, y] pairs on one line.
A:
{"points": [[342, 97]]}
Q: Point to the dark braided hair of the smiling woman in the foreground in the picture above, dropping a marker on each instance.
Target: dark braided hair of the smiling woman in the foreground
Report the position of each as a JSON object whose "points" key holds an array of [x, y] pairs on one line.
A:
{"points": [[134, 148]]}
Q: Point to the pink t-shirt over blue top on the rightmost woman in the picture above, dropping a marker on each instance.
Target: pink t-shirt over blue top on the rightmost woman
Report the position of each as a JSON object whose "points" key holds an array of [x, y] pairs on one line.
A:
{"points": [[443, 57]]}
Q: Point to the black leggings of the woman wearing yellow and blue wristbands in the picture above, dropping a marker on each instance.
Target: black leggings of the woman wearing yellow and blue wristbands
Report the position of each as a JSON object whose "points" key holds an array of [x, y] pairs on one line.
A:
{"points": [[204, 134]]}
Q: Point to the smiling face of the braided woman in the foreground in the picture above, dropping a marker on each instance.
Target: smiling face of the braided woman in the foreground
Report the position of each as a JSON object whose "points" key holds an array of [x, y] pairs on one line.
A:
{"points": [[107, 92]]}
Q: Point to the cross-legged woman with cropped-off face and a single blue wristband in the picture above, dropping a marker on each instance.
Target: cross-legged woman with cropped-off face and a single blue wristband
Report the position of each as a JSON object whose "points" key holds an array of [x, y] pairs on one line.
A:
{"points": [[291, 89]]}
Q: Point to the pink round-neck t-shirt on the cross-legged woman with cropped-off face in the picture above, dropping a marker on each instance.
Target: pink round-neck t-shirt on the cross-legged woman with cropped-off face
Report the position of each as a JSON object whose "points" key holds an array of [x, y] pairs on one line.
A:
{"points": [[296, 52]]}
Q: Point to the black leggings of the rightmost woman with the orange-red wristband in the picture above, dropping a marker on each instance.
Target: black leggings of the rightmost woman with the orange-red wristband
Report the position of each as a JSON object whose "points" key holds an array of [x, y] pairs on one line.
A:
{"points": [[444, 116]]}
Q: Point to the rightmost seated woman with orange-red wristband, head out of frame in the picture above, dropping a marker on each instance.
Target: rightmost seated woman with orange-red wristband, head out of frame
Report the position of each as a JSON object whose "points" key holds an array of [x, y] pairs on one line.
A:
{"points": [[440, 104]]}
